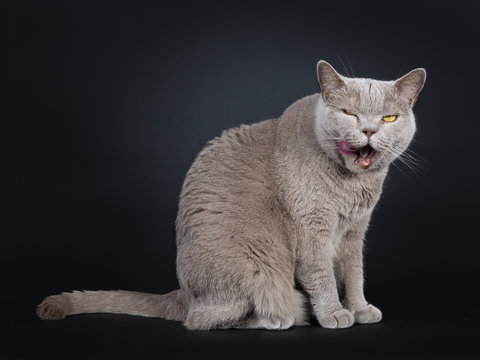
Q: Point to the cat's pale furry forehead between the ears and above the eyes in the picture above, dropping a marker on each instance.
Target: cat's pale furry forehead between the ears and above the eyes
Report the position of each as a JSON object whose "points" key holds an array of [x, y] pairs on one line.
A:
{"points": [[370, 97]]}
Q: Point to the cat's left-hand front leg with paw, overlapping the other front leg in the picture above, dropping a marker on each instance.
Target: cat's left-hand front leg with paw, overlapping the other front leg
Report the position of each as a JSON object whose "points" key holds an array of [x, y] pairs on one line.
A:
{"points": [[314, 272]]}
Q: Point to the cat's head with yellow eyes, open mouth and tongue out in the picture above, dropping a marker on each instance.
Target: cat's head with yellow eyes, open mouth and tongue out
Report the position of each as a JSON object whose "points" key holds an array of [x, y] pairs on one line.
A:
{"points": [[365, 124]]}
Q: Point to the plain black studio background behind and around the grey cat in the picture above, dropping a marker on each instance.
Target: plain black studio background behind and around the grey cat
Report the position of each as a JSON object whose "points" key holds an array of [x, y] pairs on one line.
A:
{"points": [[106, 106]]}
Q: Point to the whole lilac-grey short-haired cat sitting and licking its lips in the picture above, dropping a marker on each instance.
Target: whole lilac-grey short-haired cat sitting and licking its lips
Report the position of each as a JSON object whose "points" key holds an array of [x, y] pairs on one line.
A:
{"points": [[272, 216]]}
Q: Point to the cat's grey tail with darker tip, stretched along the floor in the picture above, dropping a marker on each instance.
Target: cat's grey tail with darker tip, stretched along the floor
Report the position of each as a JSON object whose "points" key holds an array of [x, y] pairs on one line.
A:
{"points": [[172, 306]]}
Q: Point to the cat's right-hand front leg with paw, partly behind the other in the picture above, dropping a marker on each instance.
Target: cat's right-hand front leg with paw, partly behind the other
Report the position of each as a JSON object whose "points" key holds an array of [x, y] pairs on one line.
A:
{"points": [[349, 263]]}
